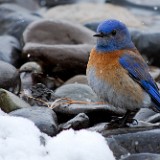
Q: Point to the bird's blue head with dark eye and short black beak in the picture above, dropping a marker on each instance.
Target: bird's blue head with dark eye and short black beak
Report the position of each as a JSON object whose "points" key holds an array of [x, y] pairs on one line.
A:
{"points": [[113, 35]]}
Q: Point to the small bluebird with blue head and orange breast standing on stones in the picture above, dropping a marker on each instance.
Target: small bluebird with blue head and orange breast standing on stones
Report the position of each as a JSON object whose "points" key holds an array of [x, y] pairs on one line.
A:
{"points": [[117, 72]]}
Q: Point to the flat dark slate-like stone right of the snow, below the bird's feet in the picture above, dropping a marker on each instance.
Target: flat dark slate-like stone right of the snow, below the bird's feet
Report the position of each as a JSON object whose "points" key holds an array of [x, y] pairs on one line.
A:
{"points": [[139, 142]]}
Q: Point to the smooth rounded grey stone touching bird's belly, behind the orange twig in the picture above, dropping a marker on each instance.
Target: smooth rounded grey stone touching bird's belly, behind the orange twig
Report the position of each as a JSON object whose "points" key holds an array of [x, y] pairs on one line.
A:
{"points": [[79, 92]]}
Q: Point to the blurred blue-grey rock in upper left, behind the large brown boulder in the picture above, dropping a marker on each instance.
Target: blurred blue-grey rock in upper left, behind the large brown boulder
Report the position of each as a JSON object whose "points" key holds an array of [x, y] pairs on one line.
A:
{"points": [[14, 19]]}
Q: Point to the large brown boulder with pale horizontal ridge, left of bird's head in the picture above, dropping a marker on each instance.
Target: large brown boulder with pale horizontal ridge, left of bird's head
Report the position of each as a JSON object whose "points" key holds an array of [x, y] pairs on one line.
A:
{"points": [[63, 45]]}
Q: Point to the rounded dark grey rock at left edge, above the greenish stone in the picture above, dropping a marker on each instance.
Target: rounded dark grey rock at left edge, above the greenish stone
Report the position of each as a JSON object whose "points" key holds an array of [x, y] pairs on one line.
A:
{"points": [[9, 77]]}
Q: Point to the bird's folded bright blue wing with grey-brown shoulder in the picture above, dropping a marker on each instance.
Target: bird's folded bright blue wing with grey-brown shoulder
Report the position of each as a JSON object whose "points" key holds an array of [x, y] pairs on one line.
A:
{"points": [[138, 70]]}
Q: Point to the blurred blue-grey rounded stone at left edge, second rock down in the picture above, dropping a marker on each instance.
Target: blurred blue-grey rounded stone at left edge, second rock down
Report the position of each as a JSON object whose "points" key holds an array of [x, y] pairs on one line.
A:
{"points": [[10, 50]]}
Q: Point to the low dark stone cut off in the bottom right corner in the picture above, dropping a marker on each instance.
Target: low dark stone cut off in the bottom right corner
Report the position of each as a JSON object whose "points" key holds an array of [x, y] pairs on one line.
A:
{"points": [[143, 156]]}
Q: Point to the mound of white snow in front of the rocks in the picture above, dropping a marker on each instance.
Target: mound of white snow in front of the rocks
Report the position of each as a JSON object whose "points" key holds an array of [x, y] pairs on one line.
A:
{"points": [[20, 140]]}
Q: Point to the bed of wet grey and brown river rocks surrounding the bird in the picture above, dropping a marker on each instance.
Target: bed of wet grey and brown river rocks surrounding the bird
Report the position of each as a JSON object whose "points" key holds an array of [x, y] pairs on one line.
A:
{"points": [[44, 50]]}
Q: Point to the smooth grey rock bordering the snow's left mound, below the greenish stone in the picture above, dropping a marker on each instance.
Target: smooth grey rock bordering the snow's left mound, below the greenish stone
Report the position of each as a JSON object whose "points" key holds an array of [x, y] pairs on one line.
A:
{"points": [[44, 118]]}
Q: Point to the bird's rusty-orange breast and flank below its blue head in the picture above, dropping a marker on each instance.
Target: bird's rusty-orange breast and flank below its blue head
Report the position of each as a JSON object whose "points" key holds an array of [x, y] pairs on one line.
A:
{"points": [[108, 72]]}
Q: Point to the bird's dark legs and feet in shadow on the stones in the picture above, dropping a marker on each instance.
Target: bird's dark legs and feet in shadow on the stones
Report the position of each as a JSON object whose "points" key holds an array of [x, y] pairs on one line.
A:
{"points": [[124, 121]]}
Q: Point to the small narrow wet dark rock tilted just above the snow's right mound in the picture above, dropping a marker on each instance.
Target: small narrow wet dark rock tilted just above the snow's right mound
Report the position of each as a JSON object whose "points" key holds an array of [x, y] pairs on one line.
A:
{"points": [[78, 122]]}
